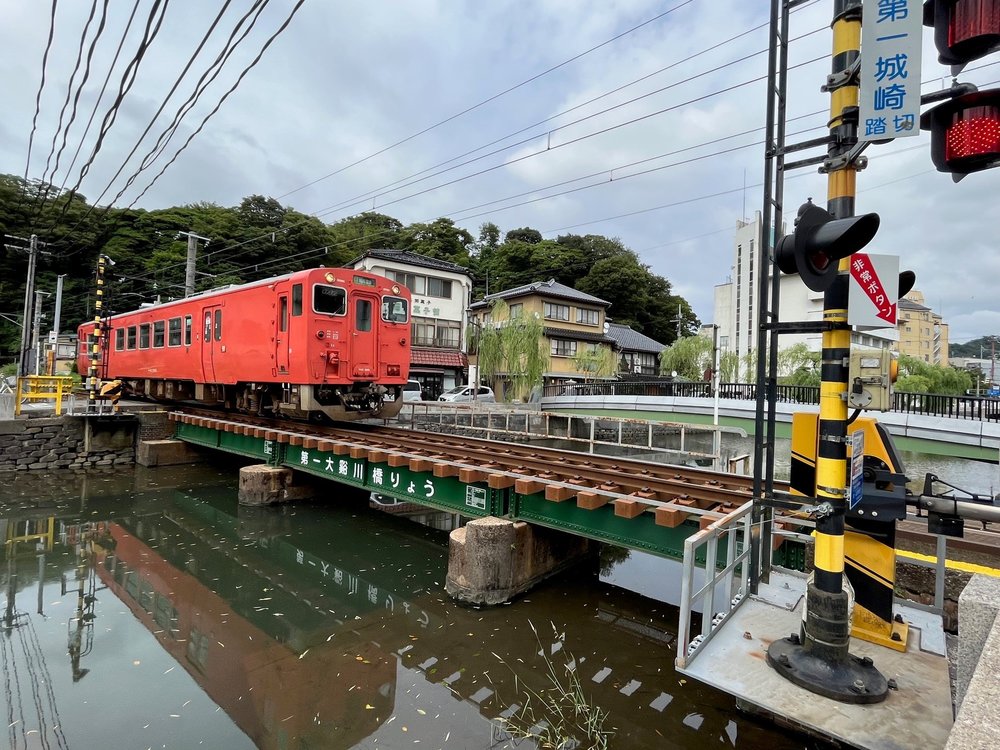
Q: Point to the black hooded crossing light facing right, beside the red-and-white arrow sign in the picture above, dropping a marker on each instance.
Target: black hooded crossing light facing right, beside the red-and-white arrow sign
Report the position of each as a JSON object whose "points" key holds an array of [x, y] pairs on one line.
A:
{"points": [[819, 242]]}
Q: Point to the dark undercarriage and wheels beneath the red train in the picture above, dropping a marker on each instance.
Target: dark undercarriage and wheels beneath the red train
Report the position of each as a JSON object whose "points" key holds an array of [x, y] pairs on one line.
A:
{"points": [[337, 403]]}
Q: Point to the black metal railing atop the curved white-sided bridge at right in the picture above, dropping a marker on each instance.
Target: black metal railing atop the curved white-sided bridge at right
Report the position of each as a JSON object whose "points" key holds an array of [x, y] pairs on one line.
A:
{"points": [[975, 408]]}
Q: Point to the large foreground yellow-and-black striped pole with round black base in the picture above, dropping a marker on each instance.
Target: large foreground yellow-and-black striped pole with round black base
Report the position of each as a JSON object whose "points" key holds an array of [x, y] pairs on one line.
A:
{"points": [[819, 659]]}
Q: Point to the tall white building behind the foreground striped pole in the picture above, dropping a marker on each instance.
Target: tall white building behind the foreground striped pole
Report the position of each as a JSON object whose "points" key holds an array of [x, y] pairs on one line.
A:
{"points": [[737, 302]]}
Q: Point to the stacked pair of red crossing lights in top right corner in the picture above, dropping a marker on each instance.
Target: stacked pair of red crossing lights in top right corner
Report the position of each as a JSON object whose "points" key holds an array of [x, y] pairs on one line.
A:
{"points": [[965, 131]]}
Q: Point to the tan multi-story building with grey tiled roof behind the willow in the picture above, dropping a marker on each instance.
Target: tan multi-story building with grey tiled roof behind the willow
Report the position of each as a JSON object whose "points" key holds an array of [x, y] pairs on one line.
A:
{"points": [[574, 322]]}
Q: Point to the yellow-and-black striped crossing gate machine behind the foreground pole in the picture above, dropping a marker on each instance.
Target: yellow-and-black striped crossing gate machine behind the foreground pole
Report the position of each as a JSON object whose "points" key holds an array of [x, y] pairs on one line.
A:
{"points": [[870, 540]]}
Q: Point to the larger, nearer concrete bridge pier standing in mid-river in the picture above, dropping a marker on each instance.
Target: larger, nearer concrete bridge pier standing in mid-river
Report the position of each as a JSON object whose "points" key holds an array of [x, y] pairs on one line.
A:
{"points": [[492, 560]]}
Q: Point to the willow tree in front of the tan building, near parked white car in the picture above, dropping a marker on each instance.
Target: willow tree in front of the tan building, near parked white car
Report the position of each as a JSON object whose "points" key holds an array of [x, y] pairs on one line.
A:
{"points": [[512, 349]]}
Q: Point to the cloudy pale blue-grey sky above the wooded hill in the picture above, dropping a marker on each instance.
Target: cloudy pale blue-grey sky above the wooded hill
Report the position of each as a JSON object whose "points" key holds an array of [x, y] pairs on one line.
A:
{"points": [[355, 102]]}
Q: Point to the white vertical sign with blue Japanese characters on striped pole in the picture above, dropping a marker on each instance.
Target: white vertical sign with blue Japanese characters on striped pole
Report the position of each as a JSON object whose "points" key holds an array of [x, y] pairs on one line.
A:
{"points": [[890, 69]]}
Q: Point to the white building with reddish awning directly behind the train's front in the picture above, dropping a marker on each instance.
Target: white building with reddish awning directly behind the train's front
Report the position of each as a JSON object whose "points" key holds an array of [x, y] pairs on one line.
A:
{"points": [[441, 295]]}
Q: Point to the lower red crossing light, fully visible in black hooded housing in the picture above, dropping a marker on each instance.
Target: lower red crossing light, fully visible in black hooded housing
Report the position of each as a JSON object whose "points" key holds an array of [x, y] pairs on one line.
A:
{"points": [[965, 133]]}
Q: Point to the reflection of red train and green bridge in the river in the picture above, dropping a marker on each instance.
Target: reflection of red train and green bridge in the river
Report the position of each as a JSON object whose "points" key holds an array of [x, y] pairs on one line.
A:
{"points": [[312, 641]]}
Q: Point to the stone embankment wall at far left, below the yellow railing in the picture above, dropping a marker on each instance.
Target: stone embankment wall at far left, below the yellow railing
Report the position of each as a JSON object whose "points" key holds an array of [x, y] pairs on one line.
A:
{"points": [[50, 443]]}
